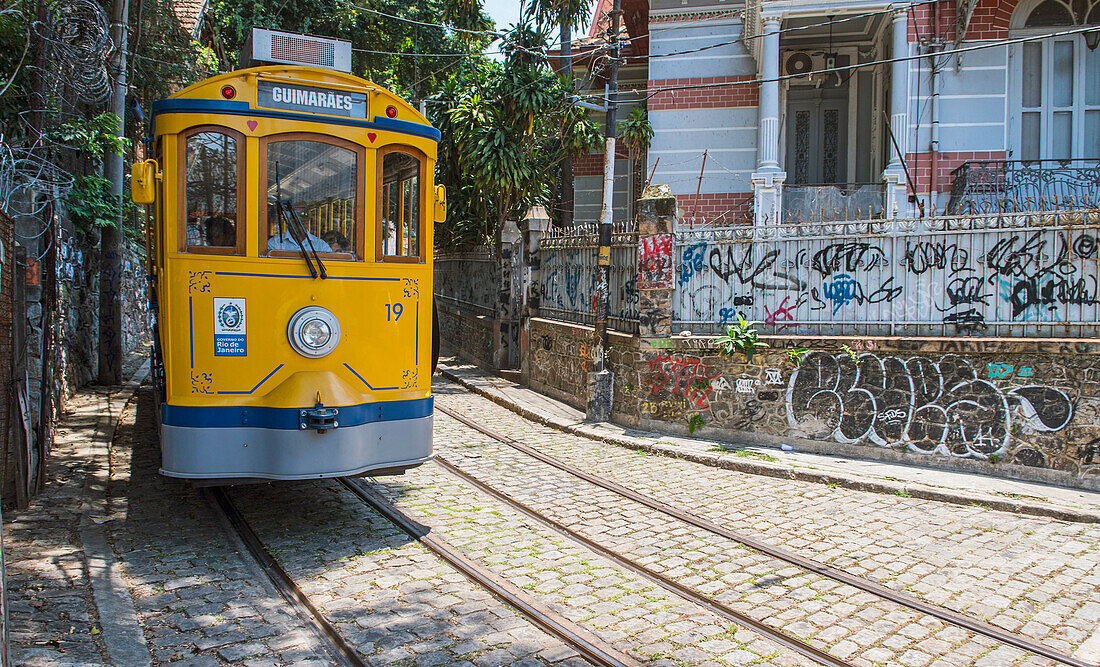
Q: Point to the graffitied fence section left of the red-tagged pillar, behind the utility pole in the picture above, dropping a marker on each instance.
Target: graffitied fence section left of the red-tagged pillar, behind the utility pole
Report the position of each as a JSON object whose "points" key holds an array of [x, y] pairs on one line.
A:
{"points": [[568, 270]]}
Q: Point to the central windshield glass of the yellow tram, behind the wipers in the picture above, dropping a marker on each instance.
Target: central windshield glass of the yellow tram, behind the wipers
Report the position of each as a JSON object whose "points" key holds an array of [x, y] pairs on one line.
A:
{"points": [[320, 181]]}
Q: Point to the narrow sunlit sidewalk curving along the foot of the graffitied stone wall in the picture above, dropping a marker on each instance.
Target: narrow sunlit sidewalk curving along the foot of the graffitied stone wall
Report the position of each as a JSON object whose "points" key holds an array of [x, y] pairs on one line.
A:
{"points": [[916, 482]]}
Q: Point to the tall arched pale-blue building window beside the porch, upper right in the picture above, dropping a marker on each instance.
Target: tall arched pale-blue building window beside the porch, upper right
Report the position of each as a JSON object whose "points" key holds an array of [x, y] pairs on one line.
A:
{"points": [[1060, 89]]}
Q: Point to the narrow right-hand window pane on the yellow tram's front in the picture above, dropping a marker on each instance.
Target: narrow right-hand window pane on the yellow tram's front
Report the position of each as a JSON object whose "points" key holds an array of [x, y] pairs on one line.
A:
{"points": [[401, 217]]}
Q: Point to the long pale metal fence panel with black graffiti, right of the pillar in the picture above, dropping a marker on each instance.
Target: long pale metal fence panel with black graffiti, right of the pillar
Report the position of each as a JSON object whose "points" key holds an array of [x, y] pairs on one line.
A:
{"points": [[988, 276]]}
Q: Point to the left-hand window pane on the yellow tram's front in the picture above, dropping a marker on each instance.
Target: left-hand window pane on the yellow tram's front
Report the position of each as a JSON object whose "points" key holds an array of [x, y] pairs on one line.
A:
{"points": [[212, 201]]}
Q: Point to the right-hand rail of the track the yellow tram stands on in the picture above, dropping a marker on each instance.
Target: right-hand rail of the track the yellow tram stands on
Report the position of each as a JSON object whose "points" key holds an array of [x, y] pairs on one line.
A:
{"points": [[588, 644]]}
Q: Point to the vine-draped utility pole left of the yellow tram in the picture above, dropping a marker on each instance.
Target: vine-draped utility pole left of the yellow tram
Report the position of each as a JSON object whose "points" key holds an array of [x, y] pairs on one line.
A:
{"points": [[111, 239]]}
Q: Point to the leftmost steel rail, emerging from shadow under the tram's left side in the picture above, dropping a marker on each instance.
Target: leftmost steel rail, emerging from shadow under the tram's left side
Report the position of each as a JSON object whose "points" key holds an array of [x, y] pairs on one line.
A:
{"points": [[335, 642]]}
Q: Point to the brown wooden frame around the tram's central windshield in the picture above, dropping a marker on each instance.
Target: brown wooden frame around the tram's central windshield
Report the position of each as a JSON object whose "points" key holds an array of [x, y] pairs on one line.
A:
{"points": [[359, 254]]}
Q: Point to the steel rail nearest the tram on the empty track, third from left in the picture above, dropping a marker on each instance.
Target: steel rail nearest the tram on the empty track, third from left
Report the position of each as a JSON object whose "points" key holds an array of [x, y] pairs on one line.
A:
{"points": [[685, 592]]}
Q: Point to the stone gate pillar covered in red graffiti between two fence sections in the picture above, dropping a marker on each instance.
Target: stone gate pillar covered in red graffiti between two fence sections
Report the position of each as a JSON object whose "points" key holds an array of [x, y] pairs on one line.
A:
{"points": [[657, 212]]}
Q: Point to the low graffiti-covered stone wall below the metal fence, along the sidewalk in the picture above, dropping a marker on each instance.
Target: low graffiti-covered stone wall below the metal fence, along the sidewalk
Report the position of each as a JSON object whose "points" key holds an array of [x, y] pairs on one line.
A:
{"points": [[1020, 409]]}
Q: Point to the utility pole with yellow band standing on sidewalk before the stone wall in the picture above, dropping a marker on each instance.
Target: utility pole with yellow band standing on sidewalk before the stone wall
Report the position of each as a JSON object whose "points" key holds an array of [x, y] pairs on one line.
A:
{"points": [[601, 380]]}
